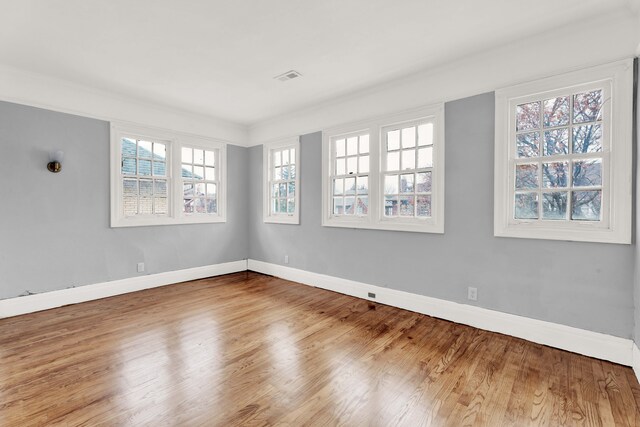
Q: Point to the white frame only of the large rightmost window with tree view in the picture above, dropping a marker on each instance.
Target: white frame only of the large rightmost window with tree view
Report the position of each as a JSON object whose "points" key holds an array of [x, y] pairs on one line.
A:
{"points": [[615, 226]]}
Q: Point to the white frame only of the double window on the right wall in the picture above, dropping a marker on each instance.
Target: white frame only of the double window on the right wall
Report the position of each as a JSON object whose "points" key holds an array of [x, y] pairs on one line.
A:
{"points": [[375, 218]]}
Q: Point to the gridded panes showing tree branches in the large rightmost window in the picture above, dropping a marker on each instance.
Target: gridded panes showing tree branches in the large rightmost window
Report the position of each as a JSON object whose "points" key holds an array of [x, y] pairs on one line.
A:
{"points": [[559, 160]]}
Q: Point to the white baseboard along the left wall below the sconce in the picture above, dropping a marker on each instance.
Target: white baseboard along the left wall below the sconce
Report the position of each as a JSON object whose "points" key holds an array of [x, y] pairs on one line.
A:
{"points": [[46, 300]]}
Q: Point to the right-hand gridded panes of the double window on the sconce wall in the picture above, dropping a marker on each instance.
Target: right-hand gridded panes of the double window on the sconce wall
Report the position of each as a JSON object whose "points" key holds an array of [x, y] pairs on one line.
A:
{"points": [[199, 181]]}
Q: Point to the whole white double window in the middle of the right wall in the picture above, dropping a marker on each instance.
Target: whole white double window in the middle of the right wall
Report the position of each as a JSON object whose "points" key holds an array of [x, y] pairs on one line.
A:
{"points": [[386, 173]]}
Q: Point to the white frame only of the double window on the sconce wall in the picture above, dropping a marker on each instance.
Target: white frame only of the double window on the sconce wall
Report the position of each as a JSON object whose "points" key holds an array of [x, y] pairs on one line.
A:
{"points": [[174, 142]]}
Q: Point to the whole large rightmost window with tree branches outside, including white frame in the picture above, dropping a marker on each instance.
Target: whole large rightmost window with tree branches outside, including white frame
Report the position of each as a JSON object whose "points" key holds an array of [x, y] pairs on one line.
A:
{"points": [[563, 157]]}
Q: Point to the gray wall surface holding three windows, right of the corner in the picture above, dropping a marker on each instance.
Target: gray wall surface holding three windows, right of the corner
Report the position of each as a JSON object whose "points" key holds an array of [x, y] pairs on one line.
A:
{"points": [[585, 285]]}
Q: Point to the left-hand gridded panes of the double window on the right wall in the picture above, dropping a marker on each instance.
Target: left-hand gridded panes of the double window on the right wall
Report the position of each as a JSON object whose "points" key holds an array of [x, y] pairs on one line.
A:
{"points": [[350, 177]]}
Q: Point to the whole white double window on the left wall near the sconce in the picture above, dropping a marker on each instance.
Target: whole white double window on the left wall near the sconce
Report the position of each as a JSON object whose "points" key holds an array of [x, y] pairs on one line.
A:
{"points": [[162, 178]]}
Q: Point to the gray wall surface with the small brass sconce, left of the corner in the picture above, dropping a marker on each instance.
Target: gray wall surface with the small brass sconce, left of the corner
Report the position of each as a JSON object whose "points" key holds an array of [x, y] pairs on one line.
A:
{"points": [[54, 229]]}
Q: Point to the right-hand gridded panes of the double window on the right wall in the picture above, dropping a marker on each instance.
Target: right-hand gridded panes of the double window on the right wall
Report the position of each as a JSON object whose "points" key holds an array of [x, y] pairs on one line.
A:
{"points": [[407, 165]]}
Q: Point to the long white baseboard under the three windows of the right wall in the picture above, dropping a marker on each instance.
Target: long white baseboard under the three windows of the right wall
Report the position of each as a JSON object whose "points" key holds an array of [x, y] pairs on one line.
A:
{"points": [[592, 344]]}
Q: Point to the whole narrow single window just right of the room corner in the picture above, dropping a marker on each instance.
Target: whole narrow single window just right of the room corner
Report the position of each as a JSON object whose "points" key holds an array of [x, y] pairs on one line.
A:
{"points": [[281, 165]]}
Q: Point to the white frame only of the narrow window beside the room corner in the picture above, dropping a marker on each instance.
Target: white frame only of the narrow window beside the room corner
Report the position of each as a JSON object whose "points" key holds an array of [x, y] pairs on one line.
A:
{"points": [[267, 168]]}
